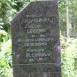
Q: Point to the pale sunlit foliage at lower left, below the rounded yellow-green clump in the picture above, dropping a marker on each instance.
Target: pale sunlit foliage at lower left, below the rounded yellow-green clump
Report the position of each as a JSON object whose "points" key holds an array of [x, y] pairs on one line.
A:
{"points": [[6, 59]]}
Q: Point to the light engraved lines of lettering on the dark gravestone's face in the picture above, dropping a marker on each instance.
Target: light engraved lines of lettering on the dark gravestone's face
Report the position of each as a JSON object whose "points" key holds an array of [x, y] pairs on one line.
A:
{"points": [[36, 40]]}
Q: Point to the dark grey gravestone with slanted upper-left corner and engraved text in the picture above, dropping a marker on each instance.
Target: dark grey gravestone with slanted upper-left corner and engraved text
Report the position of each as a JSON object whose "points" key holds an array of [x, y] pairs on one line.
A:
{"points": [[35, 41]]}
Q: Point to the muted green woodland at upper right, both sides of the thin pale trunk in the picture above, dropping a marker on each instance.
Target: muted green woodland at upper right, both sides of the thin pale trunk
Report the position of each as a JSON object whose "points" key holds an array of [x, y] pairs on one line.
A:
{"points": [[72, 17]]}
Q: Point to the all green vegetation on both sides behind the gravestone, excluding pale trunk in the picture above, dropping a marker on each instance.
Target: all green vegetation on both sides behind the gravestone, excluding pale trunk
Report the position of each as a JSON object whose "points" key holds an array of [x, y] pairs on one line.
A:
{"points": [[8, 8]]}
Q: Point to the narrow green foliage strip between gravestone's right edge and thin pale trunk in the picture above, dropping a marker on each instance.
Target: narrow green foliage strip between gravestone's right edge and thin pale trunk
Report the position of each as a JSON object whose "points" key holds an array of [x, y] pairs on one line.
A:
{"points": [[62, 16]]}
